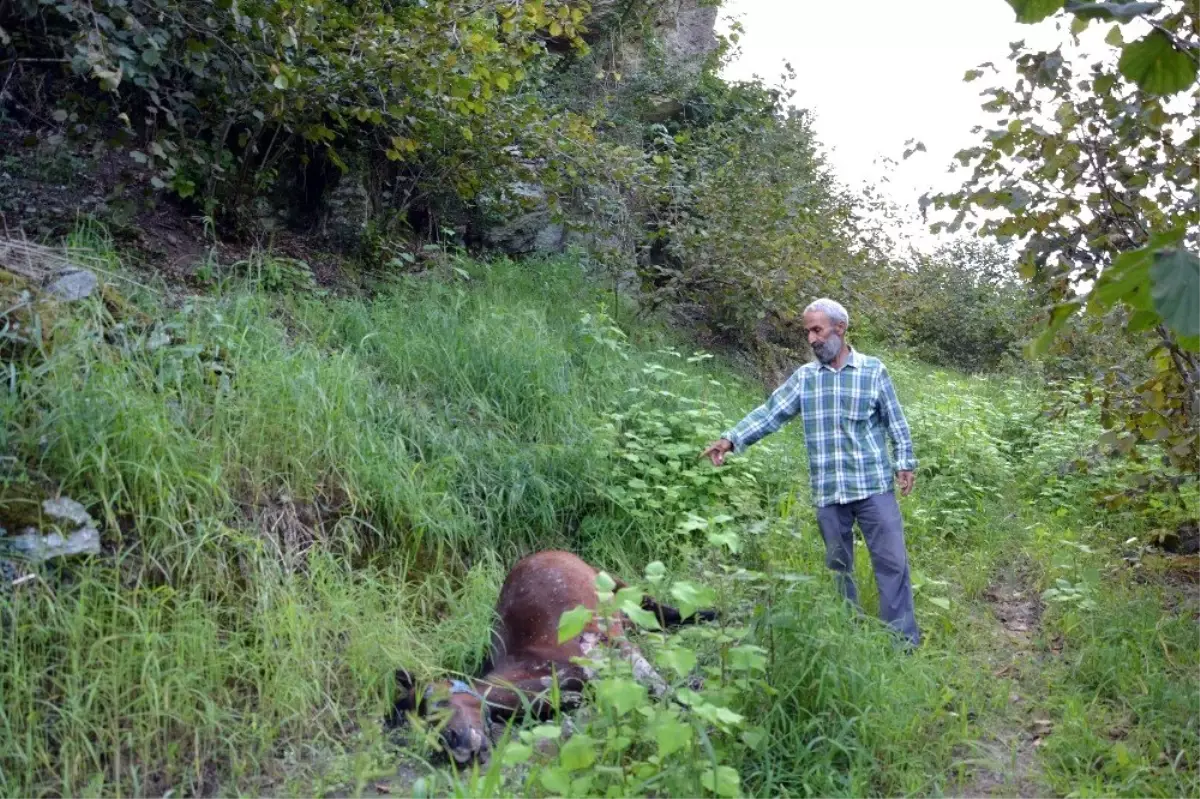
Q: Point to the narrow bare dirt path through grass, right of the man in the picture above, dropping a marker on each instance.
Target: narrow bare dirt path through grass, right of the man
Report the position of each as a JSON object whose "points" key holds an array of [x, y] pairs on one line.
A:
{"points": [[1005, 764]]}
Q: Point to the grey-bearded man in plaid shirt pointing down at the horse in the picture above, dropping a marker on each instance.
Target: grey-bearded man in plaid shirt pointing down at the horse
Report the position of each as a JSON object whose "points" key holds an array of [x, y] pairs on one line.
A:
{"points": [[848, 405]]}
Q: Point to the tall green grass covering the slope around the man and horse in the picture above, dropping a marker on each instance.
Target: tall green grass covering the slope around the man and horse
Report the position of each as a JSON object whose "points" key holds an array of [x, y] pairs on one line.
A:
{"points": [[302, 494]]}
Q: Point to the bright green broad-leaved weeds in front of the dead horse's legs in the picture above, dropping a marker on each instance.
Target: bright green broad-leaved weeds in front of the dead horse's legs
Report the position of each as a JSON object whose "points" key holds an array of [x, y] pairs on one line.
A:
{"points": [[628, 743]]}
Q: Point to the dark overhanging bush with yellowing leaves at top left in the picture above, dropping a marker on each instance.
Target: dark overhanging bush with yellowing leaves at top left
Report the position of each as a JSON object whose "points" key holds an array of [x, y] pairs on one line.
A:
{"points": [[229, 104]]}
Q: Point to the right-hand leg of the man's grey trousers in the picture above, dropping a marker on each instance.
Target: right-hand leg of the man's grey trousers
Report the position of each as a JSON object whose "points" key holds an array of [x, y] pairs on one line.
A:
{"points": [[879, 518]]}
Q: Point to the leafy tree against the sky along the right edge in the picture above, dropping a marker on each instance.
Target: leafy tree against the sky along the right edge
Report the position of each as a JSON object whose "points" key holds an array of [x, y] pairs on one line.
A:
{"points": [[1094, 172]]}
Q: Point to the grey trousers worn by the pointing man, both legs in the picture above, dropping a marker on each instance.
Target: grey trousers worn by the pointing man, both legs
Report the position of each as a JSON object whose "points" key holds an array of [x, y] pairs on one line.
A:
{"points": [[879, 519]]}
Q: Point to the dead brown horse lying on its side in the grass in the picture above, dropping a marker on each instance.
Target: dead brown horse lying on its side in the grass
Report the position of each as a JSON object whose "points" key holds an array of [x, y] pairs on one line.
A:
{"points": [[526, 656]]}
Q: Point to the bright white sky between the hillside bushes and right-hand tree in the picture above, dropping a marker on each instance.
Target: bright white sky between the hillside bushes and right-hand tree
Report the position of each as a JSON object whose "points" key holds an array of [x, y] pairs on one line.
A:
{"points": [[880, 73]]}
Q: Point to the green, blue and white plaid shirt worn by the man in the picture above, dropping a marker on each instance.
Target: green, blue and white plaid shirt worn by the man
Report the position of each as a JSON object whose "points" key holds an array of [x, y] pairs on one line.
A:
{"points": [[847, 414]]}
